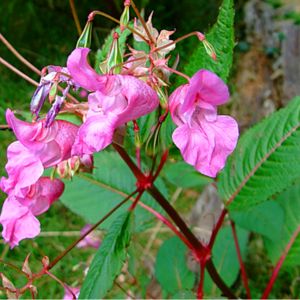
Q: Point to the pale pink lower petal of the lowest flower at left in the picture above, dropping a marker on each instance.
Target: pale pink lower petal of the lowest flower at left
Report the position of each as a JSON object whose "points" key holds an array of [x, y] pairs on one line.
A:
{"points": [[18, 222]]}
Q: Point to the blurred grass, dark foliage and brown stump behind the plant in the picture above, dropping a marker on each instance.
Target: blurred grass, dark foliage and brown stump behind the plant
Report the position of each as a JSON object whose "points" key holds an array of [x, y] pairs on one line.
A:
{"points": [[265, 75]]}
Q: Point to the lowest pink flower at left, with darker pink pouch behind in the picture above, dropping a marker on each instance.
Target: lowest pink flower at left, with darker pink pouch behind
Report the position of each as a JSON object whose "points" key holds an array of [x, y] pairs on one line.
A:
{"points": [[18, 212]]}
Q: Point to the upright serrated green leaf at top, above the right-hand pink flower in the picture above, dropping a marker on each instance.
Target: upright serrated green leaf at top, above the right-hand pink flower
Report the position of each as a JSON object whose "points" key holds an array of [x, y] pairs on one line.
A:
{"points": [[221, 36]]}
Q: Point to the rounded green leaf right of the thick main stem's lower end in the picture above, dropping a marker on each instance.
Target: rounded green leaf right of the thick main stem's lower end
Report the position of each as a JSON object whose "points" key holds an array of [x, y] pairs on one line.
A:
{"points": [[225, 258]]}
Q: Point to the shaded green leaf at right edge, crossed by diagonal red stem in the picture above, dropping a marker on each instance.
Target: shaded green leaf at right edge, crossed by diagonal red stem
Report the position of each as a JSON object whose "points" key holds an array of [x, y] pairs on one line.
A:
{"points": [[290, 203]]}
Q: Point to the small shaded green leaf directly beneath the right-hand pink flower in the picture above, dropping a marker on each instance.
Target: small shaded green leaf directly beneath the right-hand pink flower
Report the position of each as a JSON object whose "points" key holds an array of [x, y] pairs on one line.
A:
{"points": [[183, 175]]}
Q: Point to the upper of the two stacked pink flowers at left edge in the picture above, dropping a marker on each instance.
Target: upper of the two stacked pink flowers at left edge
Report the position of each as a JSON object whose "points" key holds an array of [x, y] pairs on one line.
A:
{"points": [[38, 148]]}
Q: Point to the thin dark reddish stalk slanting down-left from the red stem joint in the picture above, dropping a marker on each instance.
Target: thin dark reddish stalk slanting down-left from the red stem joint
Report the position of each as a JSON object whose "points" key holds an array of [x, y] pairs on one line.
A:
{"points": [[66, 251]]}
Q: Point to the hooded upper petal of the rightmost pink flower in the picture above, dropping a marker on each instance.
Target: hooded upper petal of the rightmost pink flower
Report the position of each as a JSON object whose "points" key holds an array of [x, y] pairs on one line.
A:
{"points": [[205, 86]]}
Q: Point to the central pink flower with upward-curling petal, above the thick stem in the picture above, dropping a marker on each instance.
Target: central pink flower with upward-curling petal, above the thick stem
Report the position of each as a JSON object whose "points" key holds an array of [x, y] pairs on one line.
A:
{"points": [[116, 99]]}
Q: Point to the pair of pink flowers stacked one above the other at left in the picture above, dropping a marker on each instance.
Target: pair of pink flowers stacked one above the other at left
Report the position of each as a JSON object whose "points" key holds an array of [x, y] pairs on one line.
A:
{"points": [[30, 194]]}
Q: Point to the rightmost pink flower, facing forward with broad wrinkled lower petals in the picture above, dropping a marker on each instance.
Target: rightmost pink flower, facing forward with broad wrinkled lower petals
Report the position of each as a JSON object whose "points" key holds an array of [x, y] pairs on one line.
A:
{"points": [[204, 138]]}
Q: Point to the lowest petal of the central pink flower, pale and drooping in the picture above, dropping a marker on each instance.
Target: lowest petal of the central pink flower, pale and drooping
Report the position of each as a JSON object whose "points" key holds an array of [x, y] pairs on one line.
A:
{"points": [[94, 135]]}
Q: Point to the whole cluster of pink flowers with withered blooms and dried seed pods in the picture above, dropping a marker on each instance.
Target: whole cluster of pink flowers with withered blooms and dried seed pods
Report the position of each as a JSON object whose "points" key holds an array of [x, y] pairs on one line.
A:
{"points": [[203, 138]]}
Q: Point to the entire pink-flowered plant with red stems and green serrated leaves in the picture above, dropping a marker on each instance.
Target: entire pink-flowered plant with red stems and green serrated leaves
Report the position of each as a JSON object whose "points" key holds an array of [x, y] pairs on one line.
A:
{"points": [[113, 125]]}
